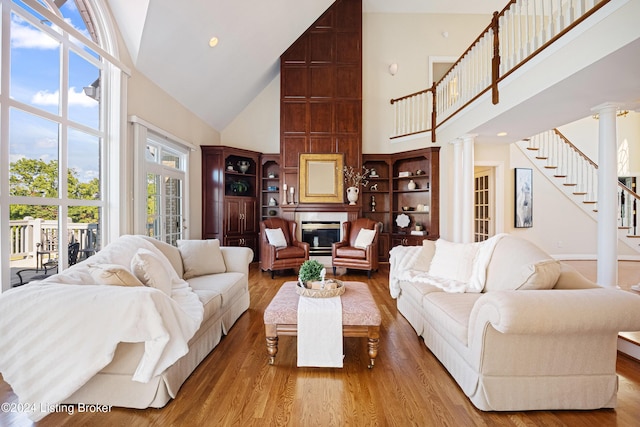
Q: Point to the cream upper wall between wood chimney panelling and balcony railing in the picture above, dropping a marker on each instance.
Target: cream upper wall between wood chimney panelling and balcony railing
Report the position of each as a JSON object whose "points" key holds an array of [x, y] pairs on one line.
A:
{"points": [[408, 40]]}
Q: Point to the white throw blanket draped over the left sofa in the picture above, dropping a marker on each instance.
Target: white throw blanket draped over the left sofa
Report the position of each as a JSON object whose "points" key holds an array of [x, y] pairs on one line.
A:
{"points": [[57, 334]]}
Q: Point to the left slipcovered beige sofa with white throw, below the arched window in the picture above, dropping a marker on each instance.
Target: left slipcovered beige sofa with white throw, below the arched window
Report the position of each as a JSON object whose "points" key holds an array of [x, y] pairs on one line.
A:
{"points": [[148, 341]]}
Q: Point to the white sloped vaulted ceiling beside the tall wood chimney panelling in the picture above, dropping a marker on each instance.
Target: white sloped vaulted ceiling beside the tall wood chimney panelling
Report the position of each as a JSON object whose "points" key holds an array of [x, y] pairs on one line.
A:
{"points": [[169, 43]]}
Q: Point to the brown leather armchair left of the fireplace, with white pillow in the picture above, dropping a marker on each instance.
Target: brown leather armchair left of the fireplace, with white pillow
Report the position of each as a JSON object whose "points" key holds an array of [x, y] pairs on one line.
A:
{"points": [[279, 247]]}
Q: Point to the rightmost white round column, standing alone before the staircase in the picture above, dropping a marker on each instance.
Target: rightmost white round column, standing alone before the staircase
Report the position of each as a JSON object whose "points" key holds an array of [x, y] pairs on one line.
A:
{"points": [[607, 263]]}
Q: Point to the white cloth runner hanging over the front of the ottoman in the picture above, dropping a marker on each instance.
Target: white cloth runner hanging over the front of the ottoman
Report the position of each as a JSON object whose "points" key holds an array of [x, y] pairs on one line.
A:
{"points": [[320, 332]]}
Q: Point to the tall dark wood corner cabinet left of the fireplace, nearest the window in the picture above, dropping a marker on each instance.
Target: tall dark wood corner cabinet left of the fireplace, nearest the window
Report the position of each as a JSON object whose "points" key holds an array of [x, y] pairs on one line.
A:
{"points": [[229, 196]]}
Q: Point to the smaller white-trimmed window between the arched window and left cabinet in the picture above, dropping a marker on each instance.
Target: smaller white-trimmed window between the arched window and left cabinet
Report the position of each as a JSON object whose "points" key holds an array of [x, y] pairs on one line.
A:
{"points": [[161, 183]]}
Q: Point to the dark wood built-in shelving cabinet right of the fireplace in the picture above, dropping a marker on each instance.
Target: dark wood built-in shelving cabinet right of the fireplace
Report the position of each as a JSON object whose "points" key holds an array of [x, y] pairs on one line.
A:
{"points": [[405, 184]]}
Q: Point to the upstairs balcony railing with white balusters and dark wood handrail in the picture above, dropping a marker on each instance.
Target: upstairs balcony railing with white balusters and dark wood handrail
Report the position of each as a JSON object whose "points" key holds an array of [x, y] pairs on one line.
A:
{"points": [[515, 35]]}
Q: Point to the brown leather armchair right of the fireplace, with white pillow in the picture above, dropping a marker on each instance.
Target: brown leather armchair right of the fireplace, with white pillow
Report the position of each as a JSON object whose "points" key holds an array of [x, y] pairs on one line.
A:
{"points": [[357, 250]]}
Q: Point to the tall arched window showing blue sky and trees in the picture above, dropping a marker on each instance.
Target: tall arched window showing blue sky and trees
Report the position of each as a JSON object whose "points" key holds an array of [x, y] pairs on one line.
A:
{"points": [[60, 105]]}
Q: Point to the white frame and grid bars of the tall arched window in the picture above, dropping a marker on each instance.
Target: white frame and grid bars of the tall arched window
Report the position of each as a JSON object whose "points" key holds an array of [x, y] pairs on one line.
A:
{"points": [[111, 132]]}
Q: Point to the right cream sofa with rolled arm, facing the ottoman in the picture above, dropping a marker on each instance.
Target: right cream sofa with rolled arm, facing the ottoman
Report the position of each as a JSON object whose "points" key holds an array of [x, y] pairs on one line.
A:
{"points": [[529, 334]]}
